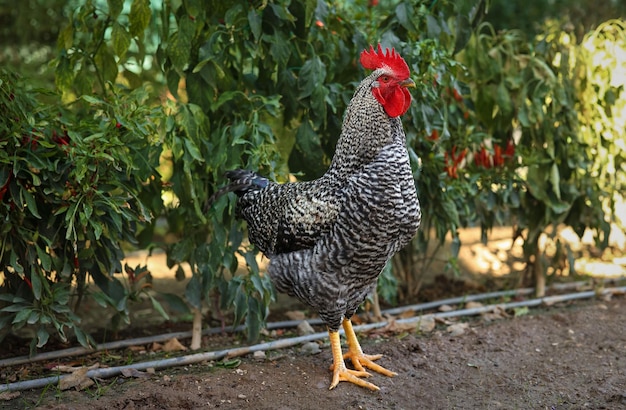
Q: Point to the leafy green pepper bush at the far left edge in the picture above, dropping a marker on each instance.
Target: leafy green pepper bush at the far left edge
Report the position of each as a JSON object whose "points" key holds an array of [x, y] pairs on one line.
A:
{"points": [[69, 198]]}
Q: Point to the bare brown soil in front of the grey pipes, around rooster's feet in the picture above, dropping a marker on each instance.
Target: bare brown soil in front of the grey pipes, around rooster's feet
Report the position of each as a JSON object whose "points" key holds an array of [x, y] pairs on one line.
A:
{"points": [[570, 356]]}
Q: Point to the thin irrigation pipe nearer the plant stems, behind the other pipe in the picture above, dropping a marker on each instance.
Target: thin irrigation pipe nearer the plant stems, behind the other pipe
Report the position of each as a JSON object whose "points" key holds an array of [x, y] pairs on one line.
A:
{"points": [[121, 344]]}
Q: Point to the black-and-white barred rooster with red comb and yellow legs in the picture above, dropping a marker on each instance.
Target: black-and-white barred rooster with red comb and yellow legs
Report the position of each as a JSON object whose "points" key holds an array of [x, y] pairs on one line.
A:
{"points": [[329, 239]]}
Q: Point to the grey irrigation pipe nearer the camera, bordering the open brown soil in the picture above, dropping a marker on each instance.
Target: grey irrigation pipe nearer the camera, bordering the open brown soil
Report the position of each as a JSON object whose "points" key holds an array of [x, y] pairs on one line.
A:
{"points": [[284, 343]]}
